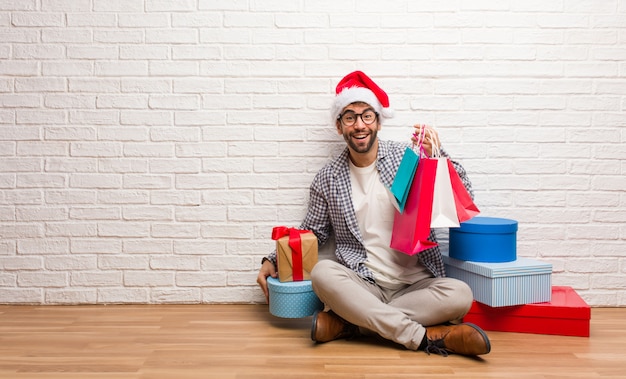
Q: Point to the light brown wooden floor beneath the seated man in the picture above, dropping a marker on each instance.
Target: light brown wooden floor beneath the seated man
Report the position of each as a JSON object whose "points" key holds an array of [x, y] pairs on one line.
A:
{"points": [[245, 341]]}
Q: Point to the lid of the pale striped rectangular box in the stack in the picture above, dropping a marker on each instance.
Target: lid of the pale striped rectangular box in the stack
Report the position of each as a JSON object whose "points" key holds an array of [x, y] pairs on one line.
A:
{"points": [[519, 267]]}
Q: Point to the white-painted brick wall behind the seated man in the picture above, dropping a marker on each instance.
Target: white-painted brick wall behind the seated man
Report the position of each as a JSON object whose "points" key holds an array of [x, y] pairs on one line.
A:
{"points": [[147, 147]]}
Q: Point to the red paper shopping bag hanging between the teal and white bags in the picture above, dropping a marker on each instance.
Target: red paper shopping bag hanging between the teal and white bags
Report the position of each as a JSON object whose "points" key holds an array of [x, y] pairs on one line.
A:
{"points": [[411, 228]]}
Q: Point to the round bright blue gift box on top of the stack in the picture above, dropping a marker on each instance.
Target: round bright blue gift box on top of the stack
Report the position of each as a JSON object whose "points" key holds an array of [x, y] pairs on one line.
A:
{"points": [[484, 239]]}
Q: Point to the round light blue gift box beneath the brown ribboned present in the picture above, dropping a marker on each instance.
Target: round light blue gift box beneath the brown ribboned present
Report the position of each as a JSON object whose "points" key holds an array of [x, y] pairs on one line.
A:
{"points": [[292, 299]]}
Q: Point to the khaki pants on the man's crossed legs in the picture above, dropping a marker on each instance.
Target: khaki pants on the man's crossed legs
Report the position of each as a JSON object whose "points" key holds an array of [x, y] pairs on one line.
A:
{"points": [[400, 316]]}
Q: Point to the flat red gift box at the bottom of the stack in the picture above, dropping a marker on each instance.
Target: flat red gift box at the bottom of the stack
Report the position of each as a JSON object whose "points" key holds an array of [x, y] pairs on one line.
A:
{"points": [[566, 314]]}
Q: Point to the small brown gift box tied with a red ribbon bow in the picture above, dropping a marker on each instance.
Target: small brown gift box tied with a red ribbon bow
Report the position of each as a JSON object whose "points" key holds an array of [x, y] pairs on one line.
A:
{"points": [[296, 253]]}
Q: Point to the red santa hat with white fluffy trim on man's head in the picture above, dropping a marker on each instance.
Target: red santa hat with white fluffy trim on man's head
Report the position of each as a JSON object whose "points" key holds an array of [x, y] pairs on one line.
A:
{"points": [[358, 87]]}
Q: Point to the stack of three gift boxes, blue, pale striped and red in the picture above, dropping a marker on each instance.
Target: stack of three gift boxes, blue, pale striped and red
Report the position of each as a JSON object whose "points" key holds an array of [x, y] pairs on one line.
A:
{"points": [[511, 294]]}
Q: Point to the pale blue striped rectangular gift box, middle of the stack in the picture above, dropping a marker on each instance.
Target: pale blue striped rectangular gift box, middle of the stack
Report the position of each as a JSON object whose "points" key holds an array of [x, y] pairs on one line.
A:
{"points": [[523, 281]]}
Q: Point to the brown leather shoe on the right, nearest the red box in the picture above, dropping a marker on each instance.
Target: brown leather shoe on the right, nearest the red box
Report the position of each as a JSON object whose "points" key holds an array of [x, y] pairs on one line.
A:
{"points": [[464, 339]]}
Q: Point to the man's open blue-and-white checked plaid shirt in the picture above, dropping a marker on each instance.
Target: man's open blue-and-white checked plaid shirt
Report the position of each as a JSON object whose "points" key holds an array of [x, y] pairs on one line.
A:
{"points": [[331, 211]]}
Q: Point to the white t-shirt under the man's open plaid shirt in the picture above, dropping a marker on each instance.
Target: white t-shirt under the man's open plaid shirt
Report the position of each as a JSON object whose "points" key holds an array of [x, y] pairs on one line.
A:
{"points": [[374, 212]]}
